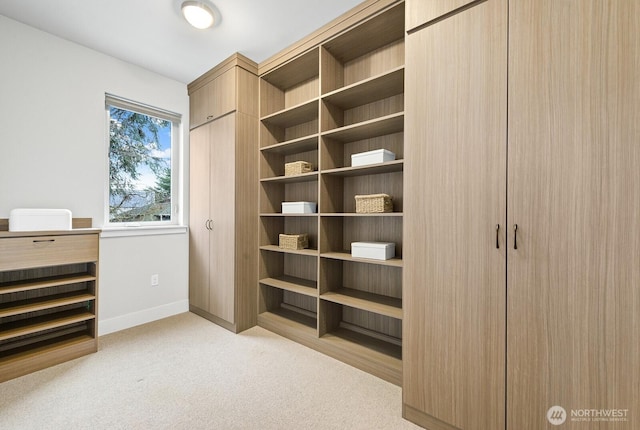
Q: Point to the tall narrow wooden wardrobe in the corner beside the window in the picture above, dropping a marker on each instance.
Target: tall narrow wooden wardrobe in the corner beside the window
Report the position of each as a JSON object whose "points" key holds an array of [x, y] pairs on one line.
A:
{"points": [[223, 195]]}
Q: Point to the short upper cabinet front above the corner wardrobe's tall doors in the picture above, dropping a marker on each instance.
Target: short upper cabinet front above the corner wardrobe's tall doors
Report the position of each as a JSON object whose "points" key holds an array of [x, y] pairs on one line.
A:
{"points": [[213, 99]]}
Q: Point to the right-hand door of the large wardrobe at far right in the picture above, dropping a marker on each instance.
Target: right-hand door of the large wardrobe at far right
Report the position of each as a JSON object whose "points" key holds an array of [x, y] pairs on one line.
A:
{"points": [[574, 192]]}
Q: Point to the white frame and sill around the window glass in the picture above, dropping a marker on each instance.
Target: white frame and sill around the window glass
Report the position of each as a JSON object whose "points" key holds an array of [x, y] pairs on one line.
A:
{"points": [[145, 227]]}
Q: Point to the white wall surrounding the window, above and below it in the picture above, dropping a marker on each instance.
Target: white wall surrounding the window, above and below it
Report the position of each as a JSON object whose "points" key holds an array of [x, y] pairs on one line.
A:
{"points": [[53, 155]]}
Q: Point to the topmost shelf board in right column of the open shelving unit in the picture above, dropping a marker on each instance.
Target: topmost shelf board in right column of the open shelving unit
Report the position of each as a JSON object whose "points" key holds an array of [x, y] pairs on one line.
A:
{"points": [[369, 90]]}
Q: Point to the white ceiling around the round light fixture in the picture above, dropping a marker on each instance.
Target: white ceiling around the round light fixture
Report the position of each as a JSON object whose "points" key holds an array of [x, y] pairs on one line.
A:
{"points": [[153, 34]]}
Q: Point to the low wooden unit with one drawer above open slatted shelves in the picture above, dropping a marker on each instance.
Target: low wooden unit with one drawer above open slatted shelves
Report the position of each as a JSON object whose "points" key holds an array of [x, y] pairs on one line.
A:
{"points": [[48, 298]]}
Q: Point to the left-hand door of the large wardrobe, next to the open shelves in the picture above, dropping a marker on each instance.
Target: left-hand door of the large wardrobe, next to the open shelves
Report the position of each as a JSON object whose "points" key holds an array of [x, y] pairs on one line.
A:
{"points": [[455, 197]]}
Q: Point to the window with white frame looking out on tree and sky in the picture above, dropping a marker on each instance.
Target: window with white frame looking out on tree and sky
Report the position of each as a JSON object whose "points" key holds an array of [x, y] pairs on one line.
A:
{"points": [[143, 144]]}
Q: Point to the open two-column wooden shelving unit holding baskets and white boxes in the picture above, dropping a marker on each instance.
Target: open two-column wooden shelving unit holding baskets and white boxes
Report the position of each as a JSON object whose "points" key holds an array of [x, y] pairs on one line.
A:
{"points": [[341, 96]]}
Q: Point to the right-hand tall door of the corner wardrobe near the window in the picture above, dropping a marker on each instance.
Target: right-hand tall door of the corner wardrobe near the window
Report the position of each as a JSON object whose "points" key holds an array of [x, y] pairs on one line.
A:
{"points": [[222, 209]]}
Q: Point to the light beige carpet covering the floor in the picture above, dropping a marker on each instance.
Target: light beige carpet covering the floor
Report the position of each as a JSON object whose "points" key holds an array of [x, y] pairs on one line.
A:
{"points": [[184, 372]]}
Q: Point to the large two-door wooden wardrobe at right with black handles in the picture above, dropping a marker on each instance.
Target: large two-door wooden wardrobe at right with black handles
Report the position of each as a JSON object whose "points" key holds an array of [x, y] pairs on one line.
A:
{"points": [[521, 281]]}
